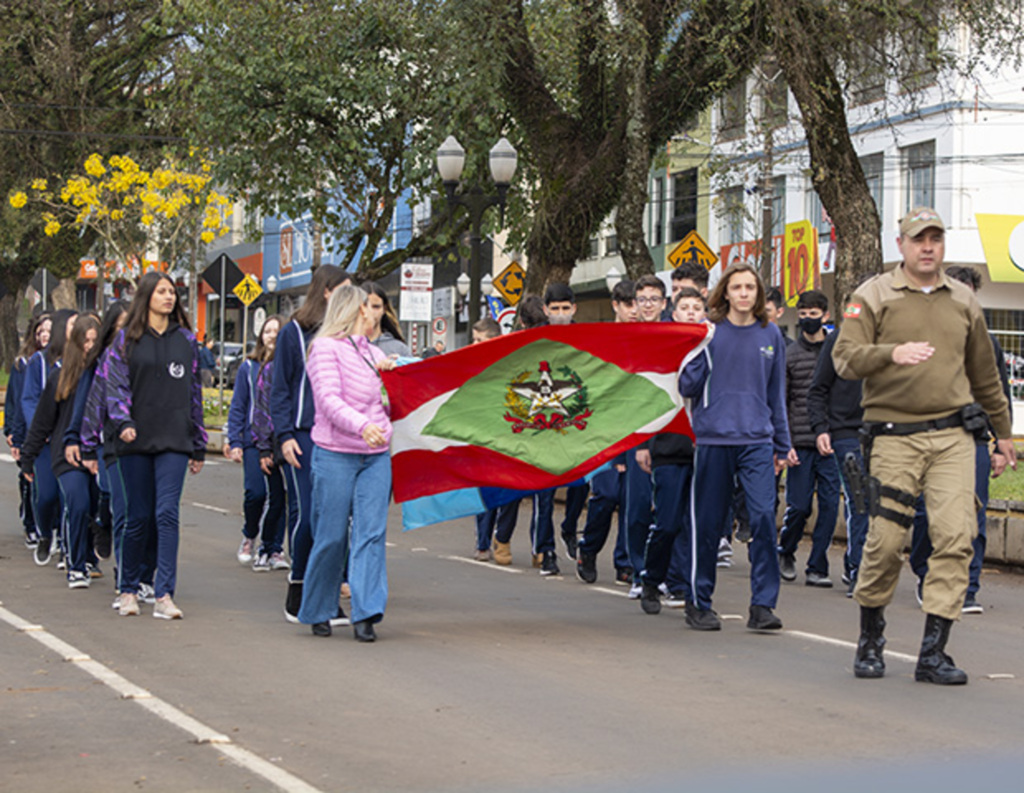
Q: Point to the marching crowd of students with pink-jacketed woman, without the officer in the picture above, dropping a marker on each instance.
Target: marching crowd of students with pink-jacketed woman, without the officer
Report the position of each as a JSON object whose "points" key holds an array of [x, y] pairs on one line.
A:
{"points": [[105, 416]]}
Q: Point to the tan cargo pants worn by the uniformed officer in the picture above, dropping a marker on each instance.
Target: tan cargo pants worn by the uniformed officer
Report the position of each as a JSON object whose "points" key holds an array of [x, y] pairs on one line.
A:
{"points": [[941, 465]]}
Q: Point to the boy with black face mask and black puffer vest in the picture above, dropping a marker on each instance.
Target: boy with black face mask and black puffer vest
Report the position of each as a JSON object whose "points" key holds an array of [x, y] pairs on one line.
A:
{"points": [[816, 471]]}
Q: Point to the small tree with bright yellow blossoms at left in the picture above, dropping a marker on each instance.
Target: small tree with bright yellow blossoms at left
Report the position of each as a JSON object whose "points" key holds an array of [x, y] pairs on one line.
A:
{"points": [[140, 215]]}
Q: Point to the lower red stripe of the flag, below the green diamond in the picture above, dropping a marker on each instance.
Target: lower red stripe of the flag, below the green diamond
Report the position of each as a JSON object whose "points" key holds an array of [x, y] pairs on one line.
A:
{"points": [[420, 473]]}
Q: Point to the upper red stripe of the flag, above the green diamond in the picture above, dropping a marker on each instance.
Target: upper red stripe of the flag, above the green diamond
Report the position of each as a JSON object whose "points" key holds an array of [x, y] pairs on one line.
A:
{"points": [[634, 348]]}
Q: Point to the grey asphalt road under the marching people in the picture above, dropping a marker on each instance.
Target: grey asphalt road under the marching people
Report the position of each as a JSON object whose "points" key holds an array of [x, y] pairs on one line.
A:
{"points": [[483, 679]]}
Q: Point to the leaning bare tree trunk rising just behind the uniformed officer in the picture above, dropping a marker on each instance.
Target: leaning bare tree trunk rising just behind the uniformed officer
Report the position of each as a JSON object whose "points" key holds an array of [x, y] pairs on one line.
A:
{"points": [[836, 171]]}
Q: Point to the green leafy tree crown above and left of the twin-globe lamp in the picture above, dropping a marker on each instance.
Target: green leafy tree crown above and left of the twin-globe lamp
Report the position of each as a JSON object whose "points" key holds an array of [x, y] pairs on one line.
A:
{"points": [[330, 109]]}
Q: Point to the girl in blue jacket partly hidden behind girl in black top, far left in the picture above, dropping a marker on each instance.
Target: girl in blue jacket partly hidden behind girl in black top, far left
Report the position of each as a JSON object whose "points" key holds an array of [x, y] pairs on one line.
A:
{"points": [[46, 492]]}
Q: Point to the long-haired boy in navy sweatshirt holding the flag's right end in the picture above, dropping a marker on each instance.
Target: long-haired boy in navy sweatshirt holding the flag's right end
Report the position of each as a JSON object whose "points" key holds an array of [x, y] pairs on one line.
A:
{"points": [[738, 386]]}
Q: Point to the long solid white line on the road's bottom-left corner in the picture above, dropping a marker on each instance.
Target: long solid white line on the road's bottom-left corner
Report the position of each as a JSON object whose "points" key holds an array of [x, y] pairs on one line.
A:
{"points": [[129, 691]]}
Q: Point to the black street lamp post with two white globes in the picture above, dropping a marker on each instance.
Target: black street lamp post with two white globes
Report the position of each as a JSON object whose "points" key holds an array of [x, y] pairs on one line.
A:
{"points": [[451, 159]]}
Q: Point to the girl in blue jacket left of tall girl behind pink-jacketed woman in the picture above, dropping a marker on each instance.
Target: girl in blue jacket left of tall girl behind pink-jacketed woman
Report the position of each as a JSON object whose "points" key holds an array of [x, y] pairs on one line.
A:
{"points": [[264, 502]]}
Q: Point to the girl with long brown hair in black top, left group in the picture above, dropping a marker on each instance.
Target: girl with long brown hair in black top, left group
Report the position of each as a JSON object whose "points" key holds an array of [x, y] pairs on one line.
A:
{"points": [[54, 415]]}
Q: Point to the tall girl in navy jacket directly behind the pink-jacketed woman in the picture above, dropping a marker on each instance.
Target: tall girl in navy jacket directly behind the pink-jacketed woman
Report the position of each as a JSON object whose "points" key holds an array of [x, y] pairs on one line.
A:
{"points": [[292, 416]]}
